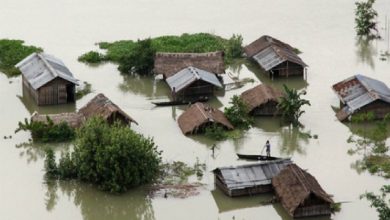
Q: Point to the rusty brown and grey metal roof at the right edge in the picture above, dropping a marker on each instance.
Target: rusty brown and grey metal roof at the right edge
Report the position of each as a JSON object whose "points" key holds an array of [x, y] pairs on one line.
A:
{"points": [[358, 91]]}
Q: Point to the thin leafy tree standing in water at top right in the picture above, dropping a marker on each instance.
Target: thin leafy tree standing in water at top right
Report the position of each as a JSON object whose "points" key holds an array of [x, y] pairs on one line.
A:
{"points": [[365, 17]]}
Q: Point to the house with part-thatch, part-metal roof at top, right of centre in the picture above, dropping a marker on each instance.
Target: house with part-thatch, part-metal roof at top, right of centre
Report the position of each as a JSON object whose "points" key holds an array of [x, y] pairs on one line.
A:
{"points": [[275, 57]]}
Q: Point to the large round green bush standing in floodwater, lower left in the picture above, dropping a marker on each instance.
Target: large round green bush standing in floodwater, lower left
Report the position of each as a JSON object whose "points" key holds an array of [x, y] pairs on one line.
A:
{"points": [[113, 157]]}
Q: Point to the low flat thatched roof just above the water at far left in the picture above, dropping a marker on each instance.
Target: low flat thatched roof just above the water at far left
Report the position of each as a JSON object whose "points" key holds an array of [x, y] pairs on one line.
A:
{"points": [[73, 119]]}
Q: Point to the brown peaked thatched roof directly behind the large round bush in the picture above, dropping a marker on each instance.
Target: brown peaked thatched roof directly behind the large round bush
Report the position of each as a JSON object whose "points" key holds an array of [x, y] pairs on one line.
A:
{"points": [[101, 106]]}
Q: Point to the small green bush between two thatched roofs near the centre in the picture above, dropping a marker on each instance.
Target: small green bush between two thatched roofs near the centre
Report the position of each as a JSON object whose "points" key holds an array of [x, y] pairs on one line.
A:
{"points": [[238, 113]]}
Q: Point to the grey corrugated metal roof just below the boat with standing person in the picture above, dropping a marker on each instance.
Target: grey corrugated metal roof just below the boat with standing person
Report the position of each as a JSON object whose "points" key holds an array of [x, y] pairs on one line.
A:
{"points": [[253, 174]]}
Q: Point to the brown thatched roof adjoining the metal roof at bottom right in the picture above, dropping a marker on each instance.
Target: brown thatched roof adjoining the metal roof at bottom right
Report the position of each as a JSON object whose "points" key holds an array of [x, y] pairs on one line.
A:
{"points": [[293, 186]]}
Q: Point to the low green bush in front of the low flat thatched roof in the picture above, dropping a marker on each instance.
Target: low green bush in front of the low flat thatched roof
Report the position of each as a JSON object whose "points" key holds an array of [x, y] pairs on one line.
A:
{"points": [[47, 131]]}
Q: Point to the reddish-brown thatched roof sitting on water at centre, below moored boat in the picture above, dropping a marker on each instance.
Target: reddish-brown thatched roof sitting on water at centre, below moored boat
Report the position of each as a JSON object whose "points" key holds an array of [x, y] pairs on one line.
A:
{"points": [[199, 114]]}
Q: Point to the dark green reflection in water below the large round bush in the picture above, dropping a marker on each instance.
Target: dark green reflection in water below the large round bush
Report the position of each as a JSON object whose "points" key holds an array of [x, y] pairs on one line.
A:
{"points": [[96, 205]]}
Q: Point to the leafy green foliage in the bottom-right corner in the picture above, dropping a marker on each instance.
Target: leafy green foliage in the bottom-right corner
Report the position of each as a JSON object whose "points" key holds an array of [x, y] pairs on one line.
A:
{"points": [[380, 202]]}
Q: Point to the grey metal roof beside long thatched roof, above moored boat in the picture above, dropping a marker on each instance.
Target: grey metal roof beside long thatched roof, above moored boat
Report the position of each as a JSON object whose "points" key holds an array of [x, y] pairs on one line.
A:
{"points": [[189, 75]]}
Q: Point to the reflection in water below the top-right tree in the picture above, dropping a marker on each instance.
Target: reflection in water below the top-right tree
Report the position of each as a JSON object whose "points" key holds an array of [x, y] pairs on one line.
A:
{"points": [[365, 51]]}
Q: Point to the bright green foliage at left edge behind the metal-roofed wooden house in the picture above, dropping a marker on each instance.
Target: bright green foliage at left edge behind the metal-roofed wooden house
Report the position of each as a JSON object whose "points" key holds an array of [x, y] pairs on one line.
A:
{"points": [[11, 53]]}
